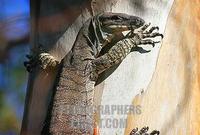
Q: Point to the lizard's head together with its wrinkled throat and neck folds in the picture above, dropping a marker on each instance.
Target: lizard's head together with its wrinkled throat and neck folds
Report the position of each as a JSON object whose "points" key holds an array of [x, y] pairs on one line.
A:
{"points": [[108, 27]]}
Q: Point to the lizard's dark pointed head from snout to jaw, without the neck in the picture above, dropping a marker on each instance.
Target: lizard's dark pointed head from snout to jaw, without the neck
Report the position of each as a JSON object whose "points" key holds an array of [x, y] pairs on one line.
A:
{"points": [[118, 22]]}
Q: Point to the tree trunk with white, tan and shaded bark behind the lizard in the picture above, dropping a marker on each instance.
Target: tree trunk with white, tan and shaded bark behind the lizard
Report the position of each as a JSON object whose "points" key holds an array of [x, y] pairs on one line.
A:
{"points": [[55, 25]]}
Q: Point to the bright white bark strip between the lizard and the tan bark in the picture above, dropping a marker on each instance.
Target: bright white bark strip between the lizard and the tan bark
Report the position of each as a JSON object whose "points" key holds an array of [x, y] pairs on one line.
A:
{"points": [[135, 72]]}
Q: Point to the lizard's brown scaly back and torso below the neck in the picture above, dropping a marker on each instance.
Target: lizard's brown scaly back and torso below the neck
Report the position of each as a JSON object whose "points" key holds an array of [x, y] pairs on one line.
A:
{"points": [[75, 88]]}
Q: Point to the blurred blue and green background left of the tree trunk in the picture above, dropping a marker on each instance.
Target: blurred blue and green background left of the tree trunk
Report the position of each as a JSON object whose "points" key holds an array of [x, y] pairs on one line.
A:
{"points": [[14, 45]]}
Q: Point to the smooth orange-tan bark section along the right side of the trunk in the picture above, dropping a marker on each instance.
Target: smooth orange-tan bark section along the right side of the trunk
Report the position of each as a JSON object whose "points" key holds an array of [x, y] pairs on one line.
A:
{"points": [[171, 101]]}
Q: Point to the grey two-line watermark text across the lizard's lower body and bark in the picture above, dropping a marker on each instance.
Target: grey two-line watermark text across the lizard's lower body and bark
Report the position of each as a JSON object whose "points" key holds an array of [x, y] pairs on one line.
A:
{"points": [[112, 116]]}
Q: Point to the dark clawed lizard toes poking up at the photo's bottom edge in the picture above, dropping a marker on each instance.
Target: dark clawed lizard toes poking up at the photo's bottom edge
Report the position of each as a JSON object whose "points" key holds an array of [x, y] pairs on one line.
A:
{"points": [[144, 131]]}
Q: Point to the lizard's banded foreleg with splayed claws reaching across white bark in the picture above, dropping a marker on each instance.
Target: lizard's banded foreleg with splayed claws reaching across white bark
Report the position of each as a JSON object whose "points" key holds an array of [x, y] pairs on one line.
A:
{"points": [[122, 48]]}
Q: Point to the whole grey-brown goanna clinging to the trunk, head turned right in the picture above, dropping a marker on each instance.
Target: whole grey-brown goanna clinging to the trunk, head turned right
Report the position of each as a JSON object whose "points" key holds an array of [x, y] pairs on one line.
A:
{"points": [[80, 68]]}
